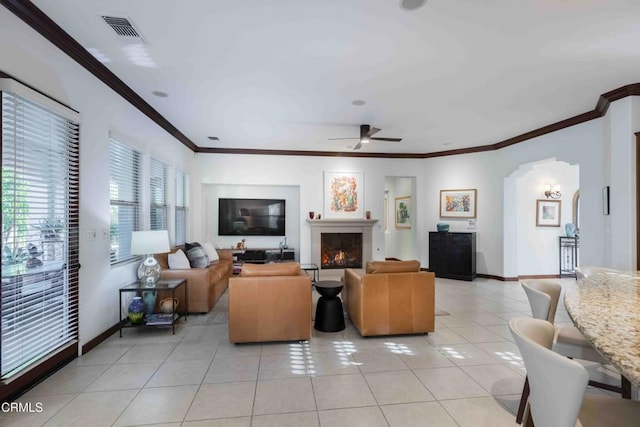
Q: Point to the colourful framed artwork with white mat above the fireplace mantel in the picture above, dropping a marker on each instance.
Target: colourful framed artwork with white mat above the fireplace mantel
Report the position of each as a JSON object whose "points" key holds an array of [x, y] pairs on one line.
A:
{"points": [[344, 195]]}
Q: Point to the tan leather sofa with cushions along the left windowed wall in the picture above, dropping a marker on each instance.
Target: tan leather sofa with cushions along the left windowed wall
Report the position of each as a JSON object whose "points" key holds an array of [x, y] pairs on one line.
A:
{"points": [[205, 285]]}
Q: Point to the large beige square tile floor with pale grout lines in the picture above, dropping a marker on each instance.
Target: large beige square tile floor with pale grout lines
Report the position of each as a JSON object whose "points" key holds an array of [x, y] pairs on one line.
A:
{"points": [[467, 373]]}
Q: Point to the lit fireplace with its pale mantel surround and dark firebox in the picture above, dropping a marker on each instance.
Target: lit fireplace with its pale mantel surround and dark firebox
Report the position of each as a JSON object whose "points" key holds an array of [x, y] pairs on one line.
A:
{"points": [[330, 262]]}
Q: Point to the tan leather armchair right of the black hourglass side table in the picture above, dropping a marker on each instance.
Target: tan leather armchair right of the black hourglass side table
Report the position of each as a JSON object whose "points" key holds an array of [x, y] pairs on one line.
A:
{"points": [[390, 297]]}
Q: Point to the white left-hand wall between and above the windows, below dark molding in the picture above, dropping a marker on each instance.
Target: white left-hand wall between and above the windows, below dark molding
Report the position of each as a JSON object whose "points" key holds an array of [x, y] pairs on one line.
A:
{"points": [[37, 63]]}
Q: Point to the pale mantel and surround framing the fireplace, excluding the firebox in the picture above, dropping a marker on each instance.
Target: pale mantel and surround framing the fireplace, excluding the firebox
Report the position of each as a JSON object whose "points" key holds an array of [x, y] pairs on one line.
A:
{"points": [[340, 225]]}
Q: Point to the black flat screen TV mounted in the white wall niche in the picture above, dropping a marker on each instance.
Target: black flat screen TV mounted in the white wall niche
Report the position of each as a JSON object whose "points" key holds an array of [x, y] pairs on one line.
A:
{"points": [[251, 217]]}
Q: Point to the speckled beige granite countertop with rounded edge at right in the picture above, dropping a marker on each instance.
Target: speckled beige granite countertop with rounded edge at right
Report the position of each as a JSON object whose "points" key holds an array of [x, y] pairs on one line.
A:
{"points": [[605, 307]]}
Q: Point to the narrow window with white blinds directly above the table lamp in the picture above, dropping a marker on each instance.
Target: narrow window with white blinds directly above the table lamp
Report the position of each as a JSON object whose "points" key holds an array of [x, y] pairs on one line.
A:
{"points": [[124, 191]]}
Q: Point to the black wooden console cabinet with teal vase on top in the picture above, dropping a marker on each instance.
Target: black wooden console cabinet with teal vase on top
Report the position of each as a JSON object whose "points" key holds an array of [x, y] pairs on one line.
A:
{"points": [[453, 255]]}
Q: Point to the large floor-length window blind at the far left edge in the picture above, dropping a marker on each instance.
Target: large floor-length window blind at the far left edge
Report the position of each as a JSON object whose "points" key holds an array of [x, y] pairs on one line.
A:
{"points": [[40, 198]]}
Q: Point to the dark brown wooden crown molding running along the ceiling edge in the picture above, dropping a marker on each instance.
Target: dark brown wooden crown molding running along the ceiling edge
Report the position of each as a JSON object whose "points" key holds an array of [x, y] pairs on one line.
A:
{"points": [[44, 25]]}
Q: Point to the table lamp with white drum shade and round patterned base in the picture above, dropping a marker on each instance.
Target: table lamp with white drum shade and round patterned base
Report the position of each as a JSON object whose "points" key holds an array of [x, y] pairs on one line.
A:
{"points": [[148, 243]]}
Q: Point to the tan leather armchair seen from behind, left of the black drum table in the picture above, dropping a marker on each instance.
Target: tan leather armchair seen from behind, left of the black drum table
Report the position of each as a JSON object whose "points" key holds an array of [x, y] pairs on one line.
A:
{"points": [[270, 302]]}
